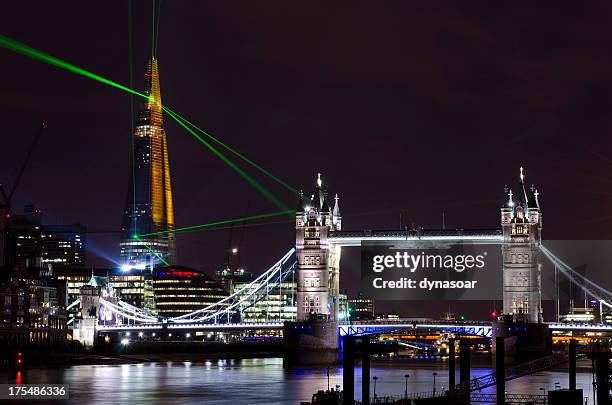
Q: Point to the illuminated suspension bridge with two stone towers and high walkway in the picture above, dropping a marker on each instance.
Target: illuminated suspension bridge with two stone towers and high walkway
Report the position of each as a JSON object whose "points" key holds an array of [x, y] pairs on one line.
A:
{"points": [[315, 264]]}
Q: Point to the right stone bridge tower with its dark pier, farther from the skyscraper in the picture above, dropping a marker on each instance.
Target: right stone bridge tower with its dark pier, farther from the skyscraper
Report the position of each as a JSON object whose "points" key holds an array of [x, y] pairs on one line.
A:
{"points": [[521, 322]]}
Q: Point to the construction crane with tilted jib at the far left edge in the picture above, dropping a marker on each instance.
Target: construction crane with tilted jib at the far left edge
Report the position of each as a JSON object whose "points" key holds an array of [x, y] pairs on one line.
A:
{"points": [[8, 256]]}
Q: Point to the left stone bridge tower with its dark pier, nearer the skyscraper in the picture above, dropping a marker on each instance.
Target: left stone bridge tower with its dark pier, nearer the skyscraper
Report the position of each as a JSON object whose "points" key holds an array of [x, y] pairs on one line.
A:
{"points": [[314, 337]]}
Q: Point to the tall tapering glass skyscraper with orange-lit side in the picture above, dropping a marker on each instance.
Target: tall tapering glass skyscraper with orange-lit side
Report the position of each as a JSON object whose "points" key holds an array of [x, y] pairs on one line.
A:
{"points": [[149, 199]]}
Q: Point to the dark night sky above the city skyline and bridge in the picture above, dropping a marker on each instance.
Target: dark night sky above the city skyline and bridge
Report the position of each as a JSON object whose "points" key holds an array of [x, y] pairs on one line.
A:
{"points": [[403, 106]]}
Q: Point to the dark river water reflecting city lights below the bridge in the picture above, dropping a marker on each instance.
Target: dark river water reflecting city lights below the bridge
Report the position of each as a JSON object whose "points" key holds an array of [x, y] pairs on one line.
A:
{"points": [[256, 381]]}
